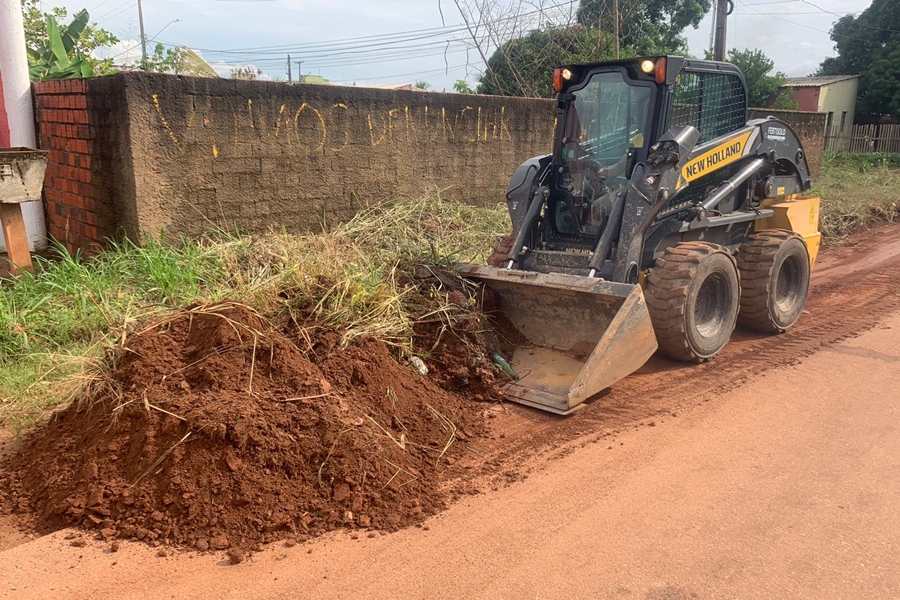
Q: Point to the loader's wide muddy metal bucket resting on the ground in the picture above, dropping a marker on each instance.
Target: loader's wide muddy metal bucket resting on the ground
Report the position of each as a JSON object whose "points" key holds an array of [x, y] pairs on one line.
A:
{"points": [[584, 334]]}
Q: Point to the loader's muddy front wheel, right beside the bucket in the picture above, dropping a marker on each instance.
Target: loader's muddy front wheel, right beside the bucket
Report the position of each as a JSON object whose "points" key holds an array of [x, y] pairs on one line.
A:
{"points": [[693, 294]]}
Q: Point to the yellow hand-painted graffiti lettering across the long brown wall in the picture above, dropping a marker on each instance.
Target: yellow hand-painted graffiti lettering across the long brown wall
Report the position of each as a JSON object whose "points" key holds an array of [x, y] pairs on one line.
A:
{"points": [[336, 127]]}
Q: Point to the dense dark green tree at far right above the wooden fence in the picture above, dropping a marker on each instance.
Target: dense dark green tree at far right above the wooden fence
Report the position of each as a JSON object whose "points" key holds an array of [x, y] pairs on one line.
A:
{"points": [[868, 45]]}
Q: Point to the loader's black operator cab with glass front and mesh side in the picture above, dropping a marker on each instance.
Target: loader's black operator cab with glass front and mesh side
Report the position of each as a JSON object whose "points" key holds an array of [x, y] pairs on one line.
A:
{"points": [[608, 116]]}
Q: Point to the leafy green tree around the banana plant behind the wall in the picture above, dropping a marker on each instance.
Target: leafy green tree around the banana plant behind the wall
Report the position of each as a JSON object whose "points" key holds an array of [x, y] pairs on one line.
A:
{"points": [[90, 37]]}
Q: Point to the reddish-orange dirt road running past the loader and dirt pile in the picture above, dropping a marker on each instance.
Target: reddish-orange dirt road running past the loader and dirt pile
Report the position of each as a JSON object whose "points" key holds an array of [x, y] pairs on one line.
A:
{"points": [[772, 472]]}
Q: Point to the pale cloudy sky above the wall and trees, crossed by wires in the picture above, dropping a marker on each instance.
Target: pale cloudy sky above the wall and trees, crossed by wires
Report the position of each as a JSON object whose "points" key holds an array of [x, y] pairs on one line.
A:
{"points": [[402, 41]]}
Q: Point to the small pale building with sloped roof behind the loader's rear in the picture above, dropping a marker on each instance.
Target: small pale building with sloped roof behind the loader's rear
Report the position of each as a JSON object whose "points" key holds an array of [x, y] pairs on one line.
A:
{"points": [[834, 95]]}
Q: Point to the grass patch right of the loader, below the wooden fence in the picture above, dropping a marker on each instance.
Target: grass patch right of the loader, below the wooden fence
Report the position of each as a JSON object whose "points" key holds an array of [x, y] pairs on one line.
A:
{"points": [[857, 191]]}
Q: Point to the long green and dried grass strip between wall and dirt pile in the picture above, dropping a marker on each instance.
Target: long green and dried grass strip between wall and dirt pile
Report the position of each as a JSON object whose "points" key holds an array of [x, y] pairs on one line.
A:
{"points": [[61, 321]]}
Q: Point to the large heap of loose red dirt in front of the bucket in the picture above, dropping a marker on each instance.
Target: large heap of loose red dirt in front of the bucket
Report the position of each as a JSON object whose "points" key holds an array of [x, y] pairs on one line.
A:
{"points": [[217, 430]]}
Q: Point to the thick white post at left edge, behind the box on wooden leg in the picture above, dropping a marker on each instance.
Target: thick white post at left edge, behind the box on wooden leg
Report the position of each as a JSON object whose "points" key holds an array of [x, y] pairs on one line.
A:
{"points": [[19, 107]]}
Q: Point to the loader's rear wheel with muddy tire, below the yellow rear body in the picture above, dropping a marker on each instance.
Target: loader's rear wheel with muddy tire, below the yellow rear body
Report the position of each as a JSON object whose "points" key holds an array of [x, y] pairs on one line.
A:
{"points": [[774, 268]]}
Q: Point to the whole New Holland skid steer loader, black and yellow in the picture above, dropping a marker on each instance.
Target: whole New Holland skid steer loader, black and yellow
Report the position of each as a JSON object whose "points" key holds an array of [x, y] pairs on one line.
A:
{"points": [[661, 218]]}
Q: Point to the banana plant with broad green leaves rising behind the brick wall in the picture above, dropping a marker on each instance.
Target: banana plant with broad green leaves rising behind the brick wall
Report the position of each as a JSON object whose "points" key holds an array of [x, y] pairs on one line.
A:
{"points": [[57, 58]]}
